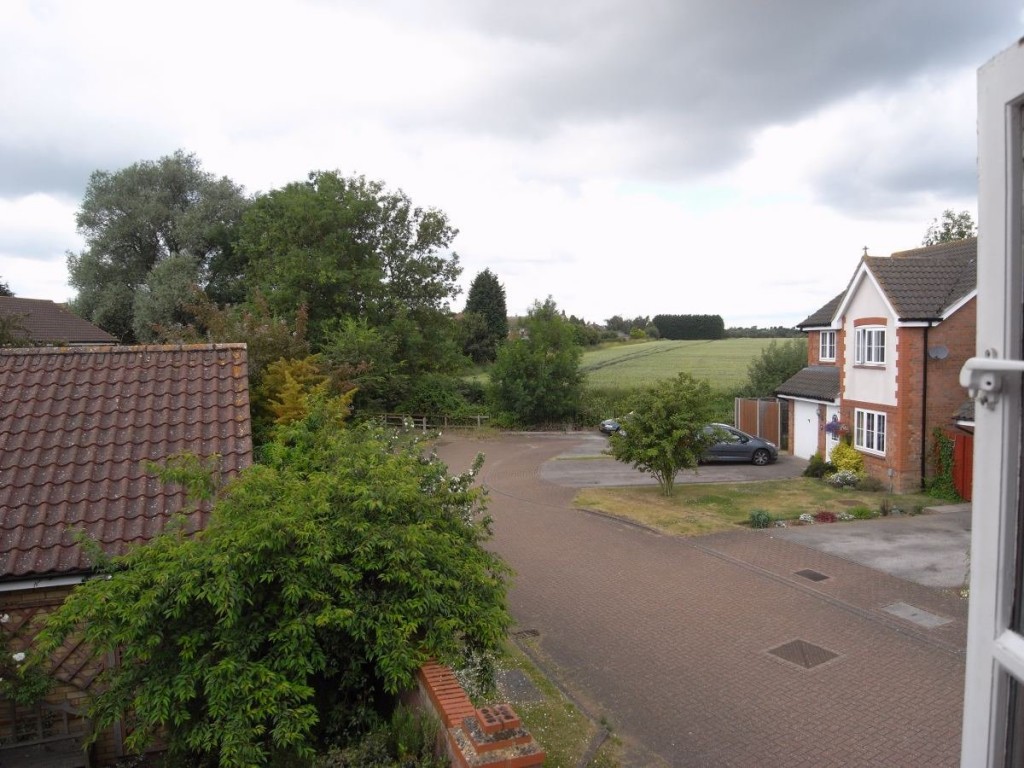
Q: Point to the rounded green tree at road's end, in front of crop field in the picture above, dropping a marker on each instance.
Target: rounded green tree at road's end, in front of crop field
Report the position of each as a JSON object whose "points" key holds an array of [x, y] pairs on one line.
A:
{"points": [[537, 378]]}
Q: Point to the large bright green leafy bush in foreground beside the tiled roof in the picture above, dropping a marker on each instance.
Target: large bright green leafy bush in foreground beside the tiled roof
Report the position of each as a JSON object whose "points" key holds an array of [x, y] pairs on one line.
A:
{"points": [[326, 577]]}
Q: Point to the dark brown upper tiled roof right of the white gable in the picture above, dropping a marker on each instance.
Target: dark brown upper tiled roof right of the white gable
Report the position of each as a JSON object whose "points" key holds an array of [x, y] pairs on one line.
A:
{"points": [[925, 283]]}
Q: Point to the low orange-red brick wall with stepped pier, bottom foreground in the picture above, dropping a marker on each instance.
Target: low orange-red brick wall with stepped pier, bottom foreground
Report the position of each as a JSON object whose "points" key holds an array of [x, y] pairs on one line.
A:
{"points": [[488, 738]]}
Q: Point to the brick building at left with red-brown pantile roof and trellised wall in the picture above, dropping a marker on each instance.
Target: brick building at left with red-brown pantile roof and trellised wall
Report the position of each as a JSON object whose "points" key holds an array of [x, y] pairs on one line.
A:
{"points": [[77, 428]]}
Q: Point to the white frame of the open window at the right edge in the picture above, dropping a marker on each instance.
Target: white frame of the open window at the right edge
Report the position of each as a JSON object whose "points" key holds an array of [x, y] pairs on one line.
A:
{"points": [[996, 653]]}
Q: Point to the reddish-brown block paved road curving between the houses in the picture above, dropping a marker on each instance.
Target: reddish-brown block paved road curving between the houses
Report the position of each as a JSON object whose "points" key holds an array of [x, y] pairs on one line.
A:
{"points": [[670, 638]]}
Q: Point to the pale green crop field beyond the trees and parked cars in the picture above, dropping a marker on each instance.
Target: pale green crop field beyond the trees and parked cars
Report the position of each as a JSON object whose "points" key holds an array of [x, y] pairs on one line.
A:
{"points": [[723, 362]]}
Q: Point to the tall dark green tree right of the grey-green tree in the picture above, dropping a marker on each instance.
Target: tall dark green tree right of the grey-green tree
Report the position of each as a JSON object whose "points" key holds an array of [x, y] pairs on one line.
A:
{"points": [[350, 248]]}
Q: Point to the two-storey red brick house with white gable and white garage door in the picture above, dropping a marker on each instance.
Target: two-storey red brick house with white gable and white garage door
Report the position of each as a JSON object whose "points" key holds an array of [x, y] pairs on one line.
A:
{"points": [[884, 360]]}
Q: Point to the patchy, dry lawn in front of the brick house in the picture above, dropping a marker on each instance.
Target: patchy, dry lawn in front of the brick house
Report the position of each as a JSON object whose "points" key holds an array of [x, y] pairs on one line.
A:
{"points": [[696, 509]]}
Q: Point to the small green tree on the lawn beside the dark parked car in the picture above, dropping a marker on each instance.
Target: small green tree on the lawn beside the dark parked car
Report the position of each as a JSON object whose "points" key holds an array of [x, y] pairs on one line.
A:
{"points": [[666, 432]]}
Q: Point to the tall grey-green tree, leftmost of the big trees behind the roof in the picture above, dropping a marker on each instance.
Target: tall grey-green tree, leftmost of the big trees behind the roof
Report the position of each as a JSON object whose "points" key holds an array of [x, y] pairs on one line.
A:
{"points": [[136, 219]]}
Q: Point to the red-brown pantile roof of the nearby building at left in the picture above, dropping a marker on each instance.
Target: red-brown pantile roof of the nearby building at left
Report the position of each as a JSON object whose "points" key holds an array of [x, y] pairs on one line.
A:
{"points": [[77, 429]]}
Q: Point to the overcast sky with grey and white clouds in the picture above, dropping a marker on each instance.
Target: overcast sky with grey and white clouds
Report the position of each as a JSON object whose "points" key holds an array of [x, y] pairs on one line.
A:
{"points": [[625, 157]]}
